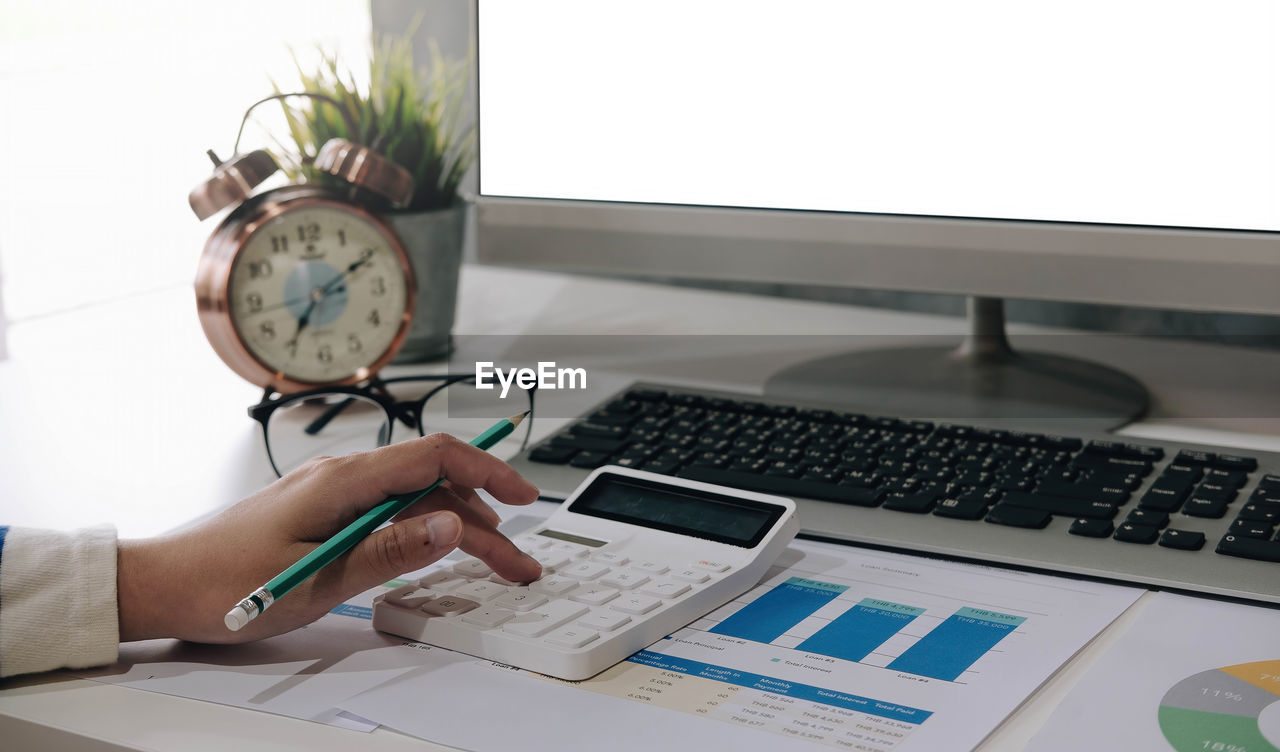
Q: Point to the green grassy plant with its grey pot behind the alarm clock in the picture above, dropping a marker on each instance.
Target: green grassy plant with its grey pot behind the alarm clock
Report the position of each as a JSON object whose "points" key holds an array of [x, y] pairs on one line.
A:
{"points": [[415, 118]]}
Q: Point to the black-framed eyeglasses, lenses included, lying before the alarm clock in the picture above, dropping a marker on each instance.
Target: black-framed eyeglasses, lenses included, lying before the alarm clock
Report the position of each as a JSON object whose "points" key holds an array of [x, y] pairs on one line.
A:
{"points": [[341, 420]]}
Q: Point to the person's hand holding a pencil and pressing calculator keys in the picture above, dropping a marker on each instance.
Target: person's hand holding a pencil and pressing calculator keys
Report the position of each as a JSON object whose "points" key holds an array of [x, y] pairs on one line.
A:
{"points": [[184, 584]]}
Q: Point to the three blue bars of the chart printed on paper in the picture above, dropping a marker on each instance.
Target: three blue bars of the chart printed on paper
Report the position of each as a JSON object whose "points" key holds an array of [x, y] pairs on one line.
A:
{"points": [[945, 653]]}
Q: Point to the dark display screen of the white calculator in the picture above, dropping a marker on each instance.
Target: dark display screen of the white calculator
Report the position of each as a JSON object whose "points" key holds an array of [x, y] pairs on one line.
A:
{"points": [[689, 512]]}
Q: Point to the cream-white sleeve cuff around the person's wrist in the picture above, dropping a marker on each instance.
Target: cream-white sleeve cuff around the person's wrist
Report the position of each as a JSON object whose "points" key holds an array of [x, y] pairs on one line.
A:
{"points": [[58, 602]]}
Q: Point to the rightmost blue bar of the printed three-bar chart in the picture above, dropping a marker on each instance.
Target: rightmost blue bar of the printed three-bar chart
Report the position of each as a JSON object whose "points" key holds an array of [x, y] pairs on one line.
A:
{"points": [[948, 650]]}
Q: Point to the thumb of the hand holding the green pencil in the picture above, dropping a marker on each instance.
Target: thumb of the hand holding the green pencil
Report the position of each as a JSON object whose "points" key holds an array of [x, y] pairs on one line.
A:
{"points": [[408, 545]]}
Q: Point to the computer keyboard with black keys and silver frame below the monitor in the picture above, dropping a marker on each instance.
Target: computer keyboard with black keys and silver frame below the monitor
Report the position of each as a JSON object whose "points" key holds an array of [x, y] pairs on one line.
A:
{"points": [[1150, 512]]}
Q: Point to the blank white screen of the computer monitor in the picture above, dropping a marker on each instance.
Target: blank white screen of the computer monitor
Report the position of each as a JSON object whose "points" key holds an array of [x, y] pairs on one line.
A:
{"points": [[1119, 112]]}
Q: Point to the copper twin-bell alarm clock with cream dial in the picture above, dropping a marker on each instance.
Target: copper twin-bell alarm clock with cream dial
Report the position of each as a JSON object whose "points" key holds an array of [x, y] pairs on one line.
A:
{"points": [[301, 287]]}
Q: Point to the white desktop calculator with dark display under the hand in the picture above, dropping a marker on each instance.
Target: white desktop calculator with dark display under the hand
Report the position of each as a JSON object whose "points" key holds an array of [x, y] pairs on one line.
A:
{"points": [[628, 560]]}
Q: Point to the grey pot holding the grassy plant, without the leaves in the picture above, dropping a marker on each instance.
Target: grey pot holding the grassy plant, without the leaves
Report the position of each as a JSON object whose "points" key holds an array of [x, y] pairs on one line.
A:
{"points": [[433, 241]]}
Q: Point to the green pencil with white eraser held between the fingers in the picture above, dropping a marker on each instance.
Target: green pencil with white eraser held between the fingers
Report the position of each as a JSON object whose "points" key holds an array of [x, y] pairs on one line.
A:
{"points": [[263, 598]]}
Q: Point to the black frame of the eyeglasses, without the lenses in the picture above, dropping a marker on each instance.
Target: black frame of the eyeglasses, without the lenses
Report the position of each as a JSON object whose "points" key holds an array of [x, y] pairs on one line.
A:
{"points": [[406, 411]]}
